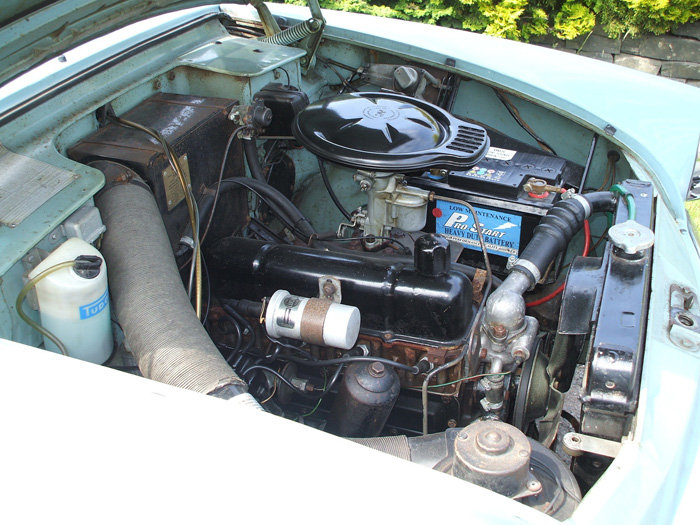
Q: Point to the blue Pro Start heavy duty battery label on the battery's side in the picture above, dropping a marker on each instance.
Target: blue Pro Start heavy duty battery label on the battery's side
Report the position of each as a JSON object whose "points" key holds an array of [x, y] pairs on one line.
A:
{"points": [[501, 230]]}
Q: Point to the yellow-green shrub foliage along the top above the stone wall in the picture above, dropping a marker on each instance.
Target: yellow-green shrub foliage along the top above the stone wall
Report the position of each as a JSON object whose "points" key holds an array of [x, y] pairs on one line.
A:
{"points": [[523, 19]]}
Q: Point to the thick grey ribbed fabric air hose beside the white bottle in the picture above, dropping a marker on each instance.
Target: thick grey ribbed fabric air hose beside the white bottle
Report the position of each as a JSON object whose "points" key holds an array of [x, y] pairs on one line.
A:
{"points": [[159, 324]]}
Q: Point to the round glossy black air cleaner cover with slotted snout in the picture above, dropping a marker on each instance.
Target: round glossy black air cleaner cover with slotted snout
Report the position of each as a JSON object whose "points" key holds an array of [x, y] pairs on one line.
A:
{"points": [[388, 132]]}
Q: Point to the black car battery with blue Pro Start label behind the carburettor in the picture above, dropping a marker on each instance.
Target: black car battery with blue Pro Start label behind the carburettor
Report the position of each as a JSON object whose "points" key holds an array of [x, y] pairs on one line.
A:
{"points": [[506, 212]]}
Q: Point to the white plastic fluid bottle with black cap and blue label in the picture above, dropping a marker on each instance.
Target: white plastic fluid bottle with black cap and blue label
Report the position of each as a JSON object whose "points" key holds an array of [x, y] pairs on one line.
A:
{"points": [[75, 308]]}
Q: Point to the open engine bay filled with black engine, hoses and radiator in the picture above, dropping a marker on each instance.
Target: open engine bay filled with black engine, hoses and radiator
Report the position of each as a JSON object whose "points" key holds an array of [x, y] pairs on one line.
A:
{"points": [[375, 254]]}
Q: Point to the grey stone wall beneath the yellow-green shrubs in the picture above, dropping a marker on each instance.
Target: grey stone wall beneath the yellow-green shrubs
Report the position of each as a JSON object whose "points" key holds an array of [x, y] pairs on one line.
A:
{"points": [[676, 55]]}
